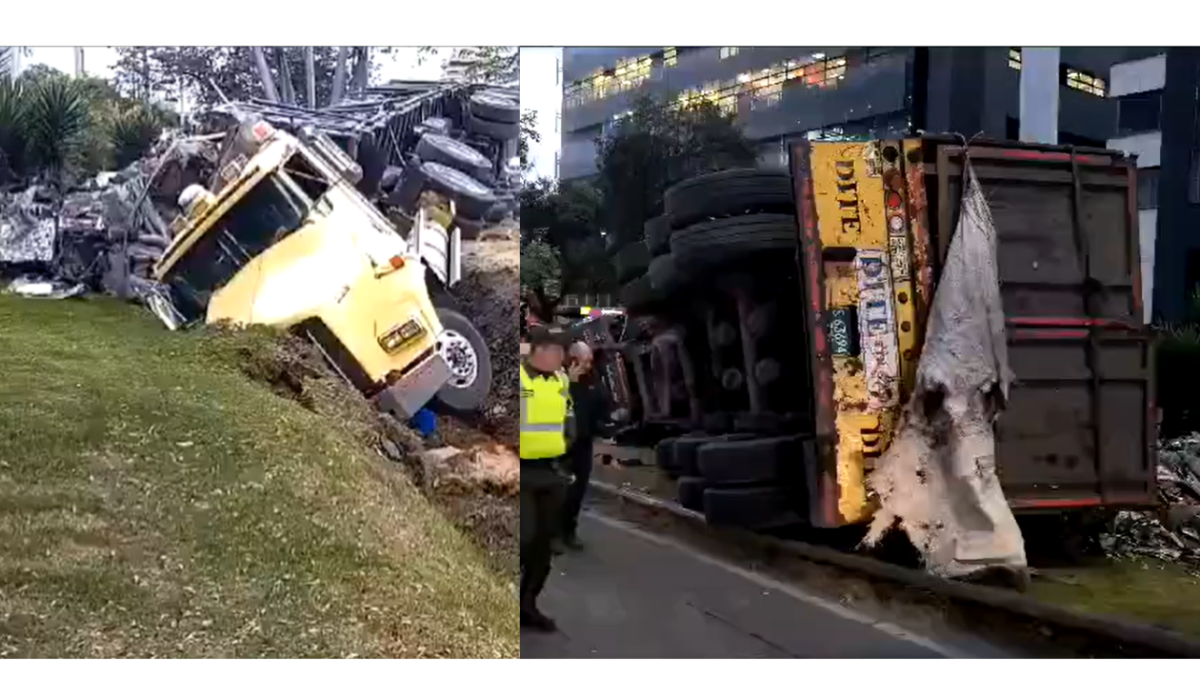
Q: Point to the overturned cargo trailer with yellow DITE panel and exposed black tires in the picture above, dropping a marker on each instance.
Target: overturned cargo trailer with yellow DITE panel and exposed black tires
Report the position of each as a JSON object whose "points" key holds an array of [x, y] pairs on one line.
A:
{"points": [[778, 402]]}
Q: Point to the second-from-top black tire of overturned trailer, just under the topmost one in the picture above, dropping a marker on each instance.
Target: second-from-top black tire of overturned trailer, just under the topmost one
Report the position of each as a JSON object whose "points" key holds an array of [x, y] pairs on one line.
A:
{"points": [[719, 243]]}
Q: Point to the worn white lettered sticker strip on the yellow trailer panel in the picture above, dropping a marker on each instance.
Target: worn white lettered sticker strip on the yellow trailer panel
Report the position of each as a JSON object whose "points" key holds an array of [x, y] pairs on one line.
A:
{"points": [[877, 331]]}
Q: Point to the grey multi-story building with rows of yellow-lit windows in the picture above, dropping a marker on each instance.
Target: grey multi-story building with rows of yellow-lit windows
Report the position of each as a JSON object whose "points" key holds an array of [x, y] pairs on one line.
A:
{"points": [[787, 93]]}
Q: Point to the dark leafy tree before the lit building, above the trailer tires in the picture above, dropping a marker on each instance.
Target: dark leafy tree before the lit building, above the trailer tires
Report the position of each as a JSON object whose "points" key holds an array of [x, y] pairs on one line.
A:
{"points": [[657, 146]]}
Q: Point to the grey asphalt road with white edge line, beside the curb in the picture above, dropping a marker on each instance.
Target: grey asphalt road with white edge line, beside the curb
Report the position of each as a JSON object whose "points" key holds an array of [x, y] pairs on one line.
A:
{"points": [[638, 595]]}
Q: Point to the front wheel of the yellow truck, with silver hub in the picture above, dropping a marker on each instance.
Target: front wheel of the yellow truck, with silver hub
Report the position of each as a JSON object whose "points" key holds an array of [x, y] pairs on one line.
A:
{"points": [[471, 365]]}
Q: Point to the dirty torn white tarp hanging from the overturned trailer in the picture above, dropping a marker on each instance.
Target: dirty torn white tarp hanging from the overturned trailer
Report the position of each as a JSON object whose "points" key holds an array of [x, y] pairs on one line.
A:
{"points": [[939, 477]]}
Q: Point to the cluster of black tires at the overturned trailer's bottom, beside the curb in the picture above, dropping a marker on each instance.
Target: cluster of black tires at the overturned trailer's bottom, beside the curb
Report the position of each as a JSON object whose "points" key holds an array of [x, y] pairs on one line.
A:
{"points": [[740, 481]]}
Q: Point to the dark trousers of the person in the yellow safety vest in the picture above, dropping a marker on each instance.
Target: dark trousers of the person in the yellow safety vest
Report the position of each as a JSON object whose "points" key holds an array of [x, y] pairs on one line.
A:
{"points": [[543, 492]]}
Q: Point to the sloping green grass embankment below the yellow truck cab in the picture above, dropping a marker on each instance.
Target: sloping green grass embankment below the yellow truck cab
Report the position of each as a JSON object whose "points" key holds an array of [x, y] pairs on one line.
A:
{"points": [[157, 503]]}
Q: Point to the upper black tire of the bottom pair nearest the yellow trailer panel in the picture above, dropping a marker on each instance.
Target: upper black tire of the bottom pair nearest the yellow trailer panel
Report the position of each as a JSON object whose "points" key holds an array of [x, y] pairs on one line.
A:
{"points": [[759, 461]]}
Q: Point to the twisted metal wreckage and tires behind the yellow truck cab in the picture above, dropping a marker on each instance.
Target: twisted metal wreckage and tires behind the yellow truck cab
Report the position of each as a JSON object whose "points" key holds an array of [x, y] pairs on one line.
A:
{"points": [[407, 139]]}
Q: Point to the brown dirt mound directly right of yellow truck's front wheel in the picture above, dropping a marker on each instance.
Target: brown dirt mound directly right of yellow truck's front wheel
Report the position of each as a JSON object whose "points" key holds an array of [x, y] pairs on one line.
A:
{"points": [[489, 294]]}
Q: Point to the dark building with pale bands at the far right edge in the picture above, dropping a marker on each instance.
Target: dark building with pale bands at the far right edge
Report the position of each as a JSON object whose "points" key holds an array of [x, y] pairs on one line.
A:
{"points": [[1159, 120]]}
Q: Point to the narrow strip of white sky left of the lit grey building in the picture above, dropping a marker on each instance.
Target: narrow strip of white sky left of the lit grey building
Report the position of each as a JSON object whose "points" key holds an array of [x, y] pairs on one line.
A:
{"points": [[542, 91]]}
